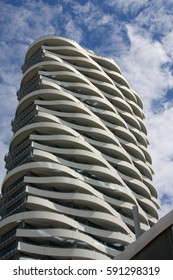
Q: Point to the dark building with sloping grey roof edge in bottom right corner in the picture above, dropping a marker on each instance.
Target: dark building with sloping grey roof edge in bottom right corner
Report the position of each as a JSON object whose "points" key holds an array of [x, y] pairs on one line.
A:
{"points": [[154, 244]]}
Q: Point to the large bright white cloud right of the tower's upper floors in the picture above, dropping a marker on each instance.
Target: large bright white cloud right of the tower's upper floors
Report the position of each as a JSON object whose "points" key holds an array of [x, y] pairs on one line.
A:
{"points": [[142, 64]]}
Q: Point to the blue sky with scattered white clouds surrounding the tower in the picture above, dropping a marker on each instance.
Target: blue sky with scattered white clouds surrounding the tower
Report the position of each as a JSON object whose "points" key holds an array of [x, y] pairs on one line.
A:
{"points": [[137, 34]]}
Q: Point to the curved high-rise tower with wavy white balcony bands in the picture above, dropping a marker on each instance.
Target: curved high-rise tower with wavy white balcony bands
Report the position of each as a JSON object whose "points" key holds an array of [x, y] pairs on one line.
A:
{"points": [[78, 161]]}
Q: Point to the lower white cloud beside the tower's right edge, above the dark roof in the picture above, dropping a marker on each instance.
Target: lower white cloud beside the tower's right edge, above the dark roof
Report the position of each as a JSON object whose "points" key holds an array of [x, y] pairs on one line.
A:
{"points": [[160, 128]]}
